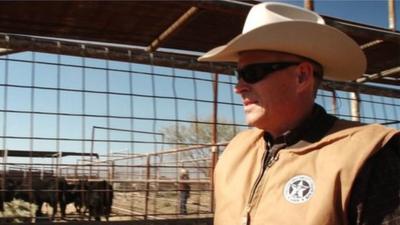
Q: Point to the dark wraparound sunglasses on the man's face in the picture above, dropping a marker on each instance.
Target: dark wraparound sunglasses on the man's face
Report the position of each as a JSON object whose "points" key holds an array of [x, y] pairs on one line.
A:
{"points": [[255, 72]]}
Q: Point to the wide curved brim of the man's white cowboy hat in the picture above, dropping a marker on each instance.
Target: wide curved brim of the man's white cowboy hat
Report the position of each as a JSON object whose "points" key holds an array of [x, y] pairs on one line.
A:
{"points": [[341, 58]]}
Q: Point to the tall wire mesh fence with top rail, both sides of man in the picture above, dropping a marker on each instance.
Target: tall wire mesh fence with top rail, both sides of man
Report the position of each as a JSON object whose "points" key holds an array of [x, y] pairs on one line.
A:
{"points": [[93, 112]]}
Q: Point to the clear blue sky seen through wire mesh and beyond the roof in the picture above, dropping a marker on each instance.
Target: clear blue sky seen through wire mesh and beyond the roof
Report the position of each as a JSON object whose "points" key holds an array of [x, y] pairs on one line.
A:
{"points": [[61, 92]]}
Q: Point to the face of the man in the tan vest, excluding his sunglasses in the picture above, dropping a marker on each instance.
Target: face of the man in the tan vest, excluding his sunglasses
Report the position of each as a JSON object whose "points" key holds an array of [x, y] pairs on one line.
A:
{"points": [[268, 103]]}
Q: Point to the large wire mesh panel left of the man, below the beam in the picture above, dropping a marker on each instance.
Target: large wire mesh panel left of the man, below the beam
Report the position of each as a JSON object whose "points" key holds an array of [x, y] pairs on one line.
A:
{"points": [[97, 119]]}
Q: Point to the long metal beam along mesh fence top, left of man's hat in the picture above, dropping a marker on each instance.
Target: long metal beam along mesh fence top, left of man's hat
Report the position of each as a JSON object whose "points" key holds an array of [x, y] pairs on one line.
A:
{"points": [[110, 51]]}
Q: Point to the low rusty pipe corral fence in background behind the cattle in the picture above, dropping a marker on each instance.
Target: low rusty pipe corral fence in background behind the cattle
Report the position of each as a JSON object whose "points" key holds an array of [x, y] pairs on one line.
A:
{"points": [[144, 186]]}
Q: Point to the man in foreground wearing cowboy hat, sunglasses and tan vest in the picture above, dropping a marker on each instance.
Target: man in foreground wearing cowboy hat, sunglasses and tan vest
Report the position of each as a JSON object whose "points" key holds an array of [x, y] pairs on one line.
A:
{"points": [[300, 165]]}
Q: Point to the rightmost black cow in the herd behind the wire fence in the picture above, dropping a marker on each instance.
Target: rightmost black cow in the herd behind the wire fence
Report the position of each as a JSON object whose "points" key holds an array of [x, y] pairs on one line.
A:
{"points": [[95, 197]]}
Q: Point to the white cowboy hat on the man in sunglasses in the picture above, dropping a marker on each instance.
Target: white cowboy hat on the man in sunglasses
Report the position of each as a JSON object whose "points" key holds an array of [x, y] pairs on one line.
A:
{"points": [[291, 29]]}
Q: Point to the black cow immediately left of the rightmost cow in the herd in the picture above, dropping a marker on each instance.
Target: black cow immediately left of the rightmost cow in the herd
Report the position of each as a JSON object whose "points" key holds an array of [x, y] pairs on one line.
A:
{"points": [[52, 190]]}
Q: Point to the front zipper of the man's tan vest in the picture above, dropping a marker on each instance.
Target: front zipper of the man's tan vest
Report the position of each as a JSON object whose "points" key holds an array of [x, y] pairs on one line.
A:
{"points": [[266, 162]]}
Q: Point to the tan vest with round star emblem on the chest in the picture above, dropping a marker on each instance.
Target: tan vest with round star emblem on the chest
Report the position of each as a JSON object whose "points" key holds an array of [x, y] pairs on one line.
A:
{"points": [[308, 186]]}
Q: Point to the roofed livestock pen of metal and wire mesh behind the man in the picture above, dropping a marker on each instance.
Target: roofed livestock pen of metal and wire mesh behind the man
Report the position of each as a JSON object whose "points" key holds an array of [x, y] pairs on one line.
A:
{"points": [[88, 105]]}
